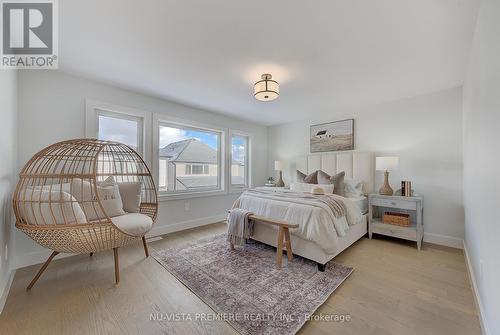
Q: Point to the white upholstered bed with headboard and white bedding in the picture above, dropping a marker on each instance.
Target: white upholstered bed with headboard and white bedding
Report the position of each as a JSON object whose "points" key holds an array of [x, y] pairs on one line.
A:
{"points": [[316, 238]]}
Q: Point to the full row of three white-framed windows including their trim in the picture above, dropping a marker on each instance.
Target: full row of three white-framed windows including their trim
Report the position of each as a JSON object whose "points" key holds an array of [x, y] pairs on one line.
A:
{"points": [[187, 158]]}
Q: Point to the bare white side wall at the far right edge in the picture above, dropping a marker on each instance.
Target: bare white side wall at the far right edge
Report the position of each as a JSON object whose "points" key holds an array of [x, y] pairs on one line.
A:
{"points": [[482, 162]]}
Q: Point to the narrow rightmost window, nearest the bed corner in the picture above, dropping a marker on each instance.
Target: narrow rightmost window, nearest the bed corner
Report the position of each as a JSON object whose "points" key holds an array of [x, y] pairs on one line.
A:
{"points": [[239, 161]]}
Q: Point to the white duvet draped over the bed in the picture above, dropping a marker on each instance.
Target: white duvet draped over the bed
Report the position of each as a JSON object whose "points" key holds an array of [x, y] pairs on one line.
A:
{"points": [[316, 221]]}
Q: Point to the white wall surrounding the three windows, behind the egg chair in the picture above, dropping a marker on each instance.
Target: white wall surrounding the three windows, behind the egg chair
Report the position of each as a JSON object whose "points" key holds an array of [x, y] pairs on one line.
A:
{"points": [[52, 108]]}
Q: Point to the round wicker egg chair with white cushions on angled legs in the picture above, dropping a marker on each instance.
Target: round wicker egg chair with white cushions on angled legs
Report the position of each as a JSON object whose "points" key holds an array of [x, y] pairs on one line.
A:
{"points": [[61, 203]]}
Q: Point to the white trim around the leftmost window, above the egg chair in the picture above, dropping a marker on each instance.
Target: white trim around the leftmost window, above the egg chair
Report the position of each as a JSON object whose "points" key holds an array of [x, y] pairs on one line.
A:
{"points": [[95, 108]]}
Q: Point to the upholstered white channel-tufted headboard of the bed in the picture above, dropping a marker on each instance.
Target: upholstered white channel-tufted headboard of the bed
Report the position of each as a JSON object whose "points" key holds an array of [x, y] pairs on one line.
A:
{"points": [[357, 165]]}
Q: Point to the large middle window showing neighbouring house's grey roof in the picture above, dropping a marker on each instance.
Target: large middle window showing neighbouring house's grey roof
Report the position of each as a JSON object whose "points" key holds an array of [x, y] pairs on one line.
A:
{"points": [[189, 158]]}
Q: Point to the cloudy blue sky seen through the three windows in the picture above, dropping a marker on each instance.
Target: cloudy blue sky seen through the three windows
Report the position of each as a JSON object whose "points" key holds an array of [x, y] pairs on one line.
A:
{"points": [[125, 131]]}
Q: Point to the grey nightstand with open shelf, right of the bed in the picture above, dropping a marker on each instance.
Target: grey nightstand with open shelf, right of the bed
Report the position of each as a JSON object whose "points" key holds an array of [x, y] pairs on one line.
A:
{"points": [[378, 204]]}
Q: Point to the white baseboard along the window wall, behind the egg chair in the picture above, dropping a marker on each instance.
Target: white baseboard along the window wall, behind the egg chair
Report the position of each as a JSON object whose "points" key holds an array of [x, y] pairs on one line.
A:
{"points": [[38, 257]]}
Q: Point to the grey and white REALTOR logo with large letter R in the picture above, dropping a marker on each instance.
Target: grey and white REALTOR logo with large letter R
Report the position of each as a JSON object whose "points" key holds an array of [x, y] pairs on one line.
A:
{"points": [[29, 34]]}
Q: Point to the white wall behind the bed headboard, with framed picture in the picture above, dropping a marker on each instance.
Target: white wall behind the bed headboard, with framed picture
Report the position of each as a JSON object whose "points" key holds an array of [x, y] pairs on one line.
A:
{"points": [[425, 132]]}
